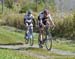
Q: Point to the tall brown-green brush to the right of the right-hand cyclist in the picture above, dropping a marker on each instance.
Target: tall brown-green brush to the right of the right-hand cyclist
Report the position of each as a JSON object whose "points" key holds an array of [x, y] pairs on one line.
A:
{"points": [[65, 28]]}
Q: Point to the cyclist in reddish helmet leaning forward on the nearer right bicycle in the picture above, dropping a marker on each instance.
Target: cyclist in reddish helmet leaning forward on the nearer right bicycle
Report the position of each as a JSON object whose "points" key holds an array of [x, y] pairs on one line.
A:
{"points": [[44, 18]]}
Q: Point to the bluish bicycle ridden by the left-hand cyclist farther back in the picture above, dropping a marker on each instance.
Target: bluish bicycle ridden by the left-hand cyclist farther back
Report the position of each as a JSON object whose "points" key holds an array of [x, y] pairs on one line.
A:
{"points": [[29, 36]]}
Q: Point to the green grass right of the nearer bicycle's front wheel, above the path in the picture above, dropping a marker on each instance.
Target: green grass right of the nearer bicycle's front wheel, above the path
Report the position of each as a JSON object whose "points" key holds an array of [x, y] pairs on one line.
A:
{"points": [[63, 45]]}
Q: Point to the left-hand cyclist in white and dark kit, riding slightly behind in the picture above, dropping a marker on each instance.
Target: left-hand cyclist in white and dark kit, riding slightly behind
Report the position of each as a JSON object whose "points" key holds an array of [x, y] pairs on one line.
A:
{"points": [[28, 21]]}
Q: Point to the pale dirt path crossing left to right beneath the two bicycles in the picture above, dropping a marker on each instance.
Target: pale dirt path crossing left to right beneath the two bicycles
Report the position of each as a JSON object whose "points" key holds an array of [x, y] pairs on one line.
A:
{"points": [[19, 47]]}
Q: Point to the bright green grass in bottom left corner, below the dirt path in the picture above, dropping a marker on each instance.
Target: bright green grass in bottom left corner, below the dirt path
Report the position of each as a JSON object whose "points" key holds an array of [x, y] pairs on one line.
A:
{"points": [[12, 54]]}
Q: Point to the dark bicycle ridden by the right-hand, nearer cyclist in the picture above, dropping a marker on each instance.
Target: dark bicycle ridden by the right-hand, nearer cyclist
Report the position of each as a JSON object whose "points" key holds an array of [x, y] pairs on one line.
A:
{"points": [[47, 38]]}
